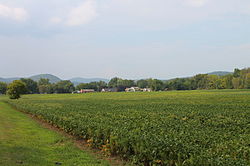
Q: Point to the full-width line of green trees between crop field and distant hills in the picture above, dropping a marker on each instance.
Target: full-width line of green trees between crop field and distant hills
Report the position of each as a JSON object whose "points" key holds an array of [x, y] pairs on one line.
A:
{"points": [[239, 79]]}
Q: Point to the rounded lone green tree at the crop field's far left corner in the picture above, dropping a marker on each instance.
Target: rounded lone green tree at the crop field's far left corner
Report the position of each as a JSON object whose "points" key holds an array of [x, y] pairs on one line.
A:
{"points": [[16, 88]]}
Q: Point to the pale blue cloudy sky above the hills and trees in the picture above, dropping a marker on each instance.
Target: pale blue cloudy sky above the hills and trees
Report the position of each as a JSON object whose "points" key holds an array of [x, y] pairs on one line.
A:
{"points": [[126, 38]]}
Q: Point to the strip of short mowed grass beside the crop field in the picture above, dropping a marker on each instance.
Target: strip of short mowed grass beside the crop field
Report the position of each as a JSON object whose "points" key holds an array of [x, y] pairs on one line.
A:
{"points": [[24, 142]]}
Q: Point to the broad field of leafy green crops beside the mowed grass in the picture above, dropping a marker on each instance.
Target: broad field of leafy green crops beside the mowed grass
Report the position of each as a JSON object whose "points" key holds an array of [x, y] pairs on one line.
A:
{"points": [[156, 128]]}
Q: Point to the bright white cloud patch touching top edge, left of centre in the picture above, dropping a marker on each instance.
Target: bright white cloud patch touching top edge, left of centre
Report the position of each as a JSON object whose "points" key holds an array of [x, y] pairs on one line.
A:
{"points": [[82, 14]]}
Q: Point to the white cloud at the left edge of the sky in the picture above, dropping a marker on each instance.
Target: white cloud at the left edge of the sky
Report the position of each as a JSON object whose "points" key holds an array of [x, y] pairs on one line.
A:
{"points": [[17, 14]]}
